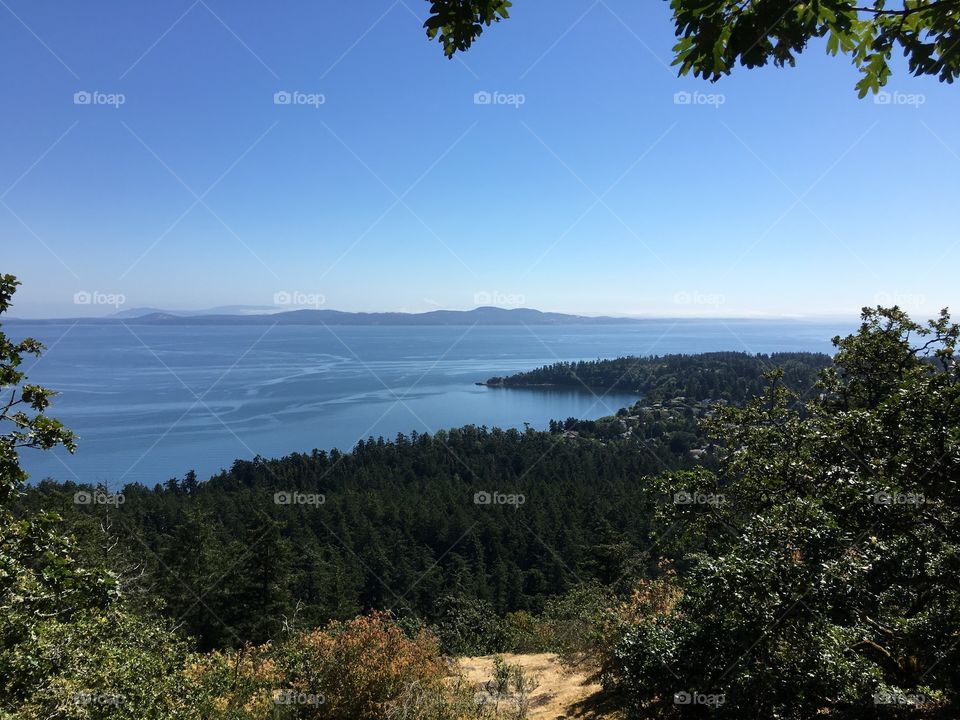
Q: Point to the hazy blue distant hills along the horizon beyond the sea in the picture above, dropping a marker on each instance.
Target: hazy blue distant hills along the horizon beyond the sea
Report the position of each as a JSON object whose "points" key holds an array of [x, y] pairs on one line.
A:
{"points": [[247, 315]]}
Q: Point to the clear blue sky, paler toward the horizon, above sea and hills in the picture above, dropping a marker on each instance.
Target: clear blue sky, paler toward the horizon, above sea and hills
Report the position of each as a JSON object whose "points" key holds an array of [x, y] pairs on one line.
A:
{"points": [[178, 182]]}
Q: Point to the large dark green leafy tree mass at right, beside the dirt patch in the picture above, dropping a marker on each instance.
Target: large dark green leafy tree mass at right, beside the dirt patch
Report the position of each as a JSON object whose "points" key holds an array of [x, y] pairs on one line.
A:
{"points": [[825, 573]]}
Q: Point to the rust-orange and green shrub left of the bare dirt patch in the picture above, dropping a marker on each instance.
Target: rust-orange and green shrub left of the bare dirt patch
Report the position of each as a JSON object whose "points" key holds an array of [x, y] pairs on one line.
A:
{"points": [[363, 669]]}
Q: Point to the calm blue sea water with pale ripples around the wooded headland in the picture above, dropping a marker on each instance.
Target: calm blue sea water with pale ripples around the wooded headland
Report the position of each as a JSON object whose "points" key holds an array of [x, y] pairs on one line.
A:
{"points": [[150, 403]]}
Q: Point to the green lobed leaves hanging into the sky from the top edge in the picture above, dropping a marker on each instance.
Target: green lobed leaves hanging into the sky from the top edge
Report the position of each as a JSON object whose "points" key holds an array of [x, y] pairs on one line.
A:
{"points": [[717, 35]]}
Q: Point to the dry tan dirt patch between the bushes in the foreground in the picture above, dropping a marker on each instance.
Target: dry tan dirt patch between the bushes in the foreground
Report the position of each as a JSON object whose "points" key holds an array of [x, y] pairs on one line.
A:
{"points": [[562, 693]]}
